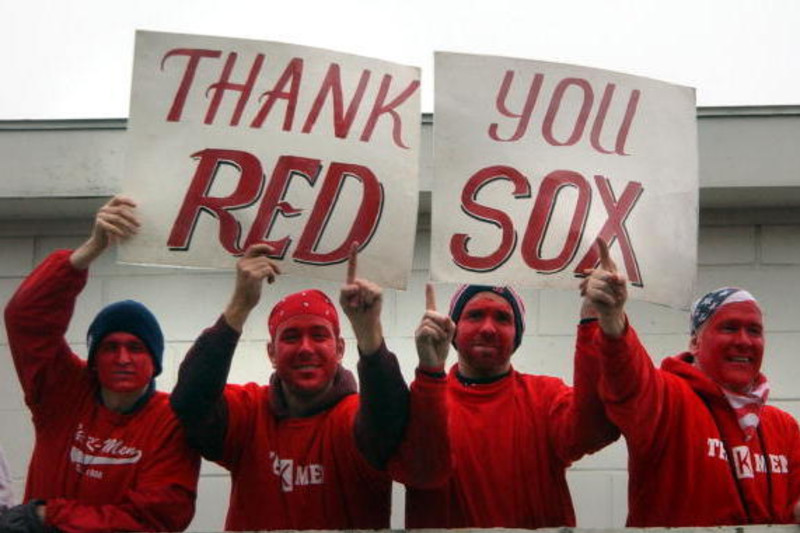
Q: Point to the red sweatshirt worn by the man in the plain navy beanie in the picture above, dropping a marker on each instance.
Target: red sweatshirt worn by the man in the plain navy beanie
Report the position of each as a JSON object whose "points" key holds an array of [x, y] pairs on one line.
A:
{"points": [[98, 470]]}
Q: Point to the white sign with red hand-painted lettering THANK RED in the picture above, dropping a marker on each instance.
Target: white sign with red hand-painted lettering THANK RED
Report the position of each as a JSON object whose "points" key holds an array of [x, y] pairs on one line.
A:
{"points": [[235, 142]]}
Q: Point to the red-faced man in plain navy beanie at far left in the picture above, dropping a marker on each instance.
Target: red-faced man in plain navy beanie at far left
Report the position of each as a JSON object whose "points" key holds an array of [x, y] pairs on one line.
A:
{"points": [[109, 454]]}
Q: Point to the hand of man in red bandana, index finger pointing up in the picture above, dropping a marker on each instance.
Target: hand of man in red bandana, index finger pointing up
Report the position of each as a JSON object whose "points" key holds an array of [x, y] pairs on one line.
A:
{"points": [[361, 301]]}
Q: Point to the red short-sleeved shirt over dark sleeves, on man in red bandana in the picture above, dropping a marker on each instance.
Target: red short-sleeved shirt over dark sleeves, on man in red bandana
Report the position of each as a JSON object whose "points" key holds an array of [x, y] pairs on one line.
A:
{"points": [[298, 473]]}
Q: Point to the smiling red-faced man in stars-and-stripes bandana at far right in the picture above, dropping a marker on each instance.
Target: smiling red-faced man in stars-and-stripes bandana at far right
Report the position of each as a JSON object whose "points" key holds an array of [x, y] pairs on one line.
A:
{"points": [[704, 448]]}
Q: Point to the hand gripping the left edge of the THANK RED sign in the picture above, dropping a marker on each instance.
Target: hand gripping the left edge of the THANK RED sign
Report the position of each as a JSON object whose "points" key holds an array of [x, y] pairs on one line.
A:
{"points": [[115, 222]]}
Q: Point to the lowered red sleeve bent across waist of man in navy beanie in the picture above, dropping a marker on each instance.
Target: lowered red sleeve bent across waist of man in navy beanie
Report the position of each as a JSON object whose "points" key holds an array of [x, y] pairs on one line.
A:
{"points": [[161, 499]]}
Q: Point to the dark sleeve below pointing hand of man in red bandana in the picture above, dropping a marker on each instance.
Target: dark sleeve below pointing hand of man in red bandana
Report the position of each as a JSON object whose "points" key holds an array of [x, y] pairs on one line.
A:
{"points": [[383, 408]]}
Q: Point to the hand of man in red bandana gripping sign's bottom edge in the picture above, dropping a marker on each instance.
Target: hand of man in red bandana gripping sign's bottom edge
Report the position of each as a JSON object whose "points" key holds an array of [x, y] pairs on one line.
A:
{"points": [[252, 269]]}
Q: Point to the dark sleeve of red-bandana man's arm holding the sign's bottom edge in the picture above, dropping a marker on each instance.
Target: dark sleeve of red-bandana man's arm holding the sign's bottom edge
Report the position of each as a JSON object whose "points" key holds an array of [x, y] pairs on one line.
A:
{"points": [[198, 399]]}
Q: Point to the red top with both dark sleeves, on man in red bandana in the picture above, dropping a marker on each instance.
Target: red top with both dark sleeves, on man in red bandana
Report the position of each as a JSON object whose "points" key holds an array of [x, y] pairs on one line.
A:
{"points": [[324, 471]]}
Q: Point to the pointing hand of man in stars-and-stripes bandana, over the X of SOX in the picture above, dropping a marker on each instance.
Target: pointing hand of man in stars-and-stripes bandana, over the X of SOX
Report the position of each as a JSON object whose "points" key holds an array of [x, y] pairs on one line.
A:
{"points": [[606, 289]]}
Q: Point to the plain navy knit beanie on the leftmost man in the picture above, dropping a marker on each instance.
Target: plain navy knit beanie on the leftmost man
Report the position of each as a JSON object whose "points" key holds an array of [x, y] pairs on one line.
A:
{"points": [[131, 317]]}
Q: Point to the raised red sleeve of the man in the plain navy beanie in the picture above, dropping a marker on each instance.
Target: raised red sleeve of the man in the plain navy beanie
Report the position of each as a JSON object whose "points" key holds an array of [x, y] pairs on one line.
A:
{"points": [[36, 319]]}
